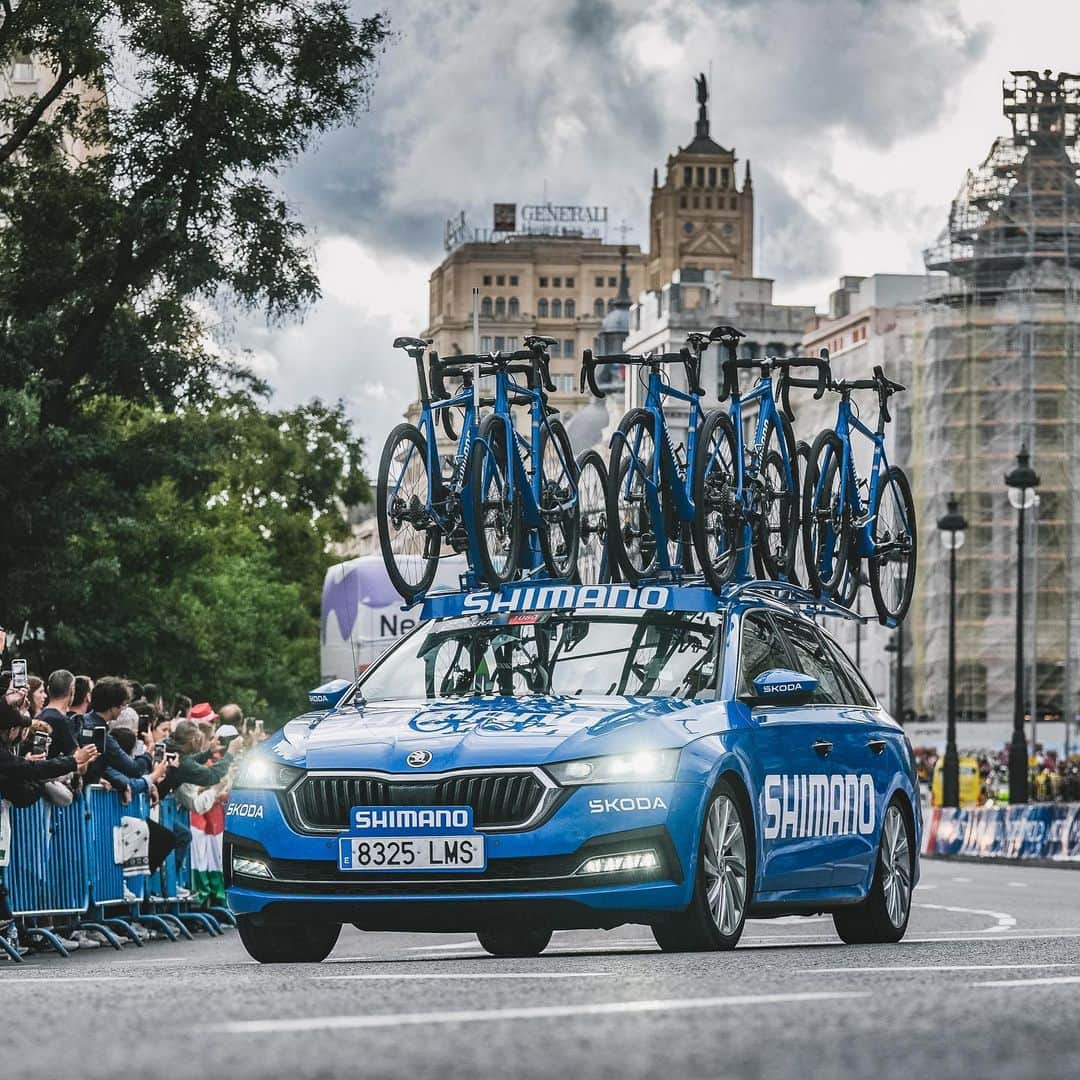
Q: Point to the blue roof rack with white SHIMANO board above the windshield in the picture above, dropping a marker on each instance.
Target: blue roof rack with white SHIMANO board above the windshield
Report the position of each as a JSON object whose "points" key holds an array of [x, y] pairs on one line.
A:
{"points": [[519, 598]]}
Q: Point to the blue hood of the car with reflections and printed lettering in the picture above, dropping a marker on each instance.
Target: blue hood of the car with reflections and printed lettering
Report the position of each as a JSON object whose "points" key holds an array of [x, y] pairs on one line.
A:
{"points": [[492, 732]]}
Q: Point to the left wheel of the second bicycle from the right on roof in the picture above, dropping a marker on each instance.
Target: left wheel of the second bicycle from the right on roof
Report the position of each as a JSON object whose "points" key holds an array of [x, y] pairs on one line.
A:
{"points": [[717, 521]]}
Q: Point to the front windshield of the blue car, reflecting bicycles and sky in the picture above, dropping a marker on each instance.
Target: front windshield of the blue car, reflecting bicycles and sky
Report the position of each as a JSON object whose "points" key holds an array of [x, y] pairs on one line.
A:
{"points": [[655, 655]]}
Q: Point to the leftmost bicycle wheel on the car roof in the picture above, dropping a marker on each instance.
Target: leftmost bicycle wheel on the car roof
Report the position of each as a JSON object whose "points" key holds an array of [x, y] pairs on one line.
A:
{"points": [[402, 566]]}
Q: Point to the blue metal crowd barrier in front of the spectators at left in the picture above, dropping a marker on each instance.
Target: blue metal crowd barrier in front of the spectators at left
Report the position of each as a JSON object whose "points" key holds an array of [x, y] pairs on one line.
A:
{"points": [[63, 865]]}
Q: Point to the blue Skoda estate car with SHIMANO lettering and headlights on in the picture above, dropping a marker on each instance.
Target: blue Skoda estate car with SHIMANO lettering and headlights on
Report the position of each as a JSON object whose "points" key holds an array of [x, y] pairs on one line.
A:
{"points": [[556, 758]]}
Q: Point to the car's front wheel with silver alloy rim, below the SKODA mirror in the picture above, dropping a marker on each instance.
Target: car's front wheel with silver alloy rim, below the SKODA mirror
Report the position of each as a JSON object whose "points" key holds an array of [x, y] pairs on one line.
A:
{"points": [[724, 884]]}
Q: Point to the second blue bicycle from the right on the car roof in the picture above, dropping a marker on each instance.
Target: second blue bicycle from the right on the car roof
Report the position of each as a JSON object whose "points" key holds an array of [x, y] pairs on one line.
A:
{"points": [[748, 496]]}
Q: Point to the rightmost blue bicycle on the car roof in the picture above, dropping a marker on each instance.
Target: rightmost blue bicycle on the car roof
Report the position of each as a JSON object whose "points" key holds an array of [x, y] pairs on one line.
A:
{"points": [[840, 531]]}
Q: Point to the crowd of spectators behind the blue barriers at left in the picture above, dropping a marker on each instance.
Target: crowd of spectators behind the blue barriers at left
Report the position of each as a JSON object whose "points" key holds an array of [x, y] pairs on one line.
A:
{"points": [[69, 732]]}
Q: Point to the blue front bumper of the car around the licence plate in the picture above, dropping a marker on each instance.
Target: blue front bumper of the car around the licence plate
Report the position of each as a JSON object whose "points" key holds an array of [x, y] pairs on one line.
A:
{"points": [[531, 874]]}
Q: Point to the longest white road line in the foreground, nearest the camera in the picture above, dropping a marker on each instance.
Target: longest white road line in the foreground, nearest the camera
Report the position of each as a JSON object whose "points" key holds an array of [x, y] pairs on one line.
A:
{"points": [[292, 1024]]}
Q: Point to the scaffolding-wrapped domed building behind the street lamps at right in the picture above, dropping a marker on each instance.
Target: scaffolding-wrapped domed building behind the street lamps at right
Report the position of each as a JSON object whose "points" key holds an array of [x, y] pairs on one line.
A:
{"points": [[995, 363]]}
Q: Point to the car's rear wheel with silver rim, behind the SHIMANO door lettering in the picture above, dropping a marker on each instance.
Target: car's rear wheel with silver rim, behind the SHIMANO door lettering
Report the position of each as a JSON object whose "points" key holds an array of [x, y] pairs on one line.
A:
{"points": [[883, 916]]}
